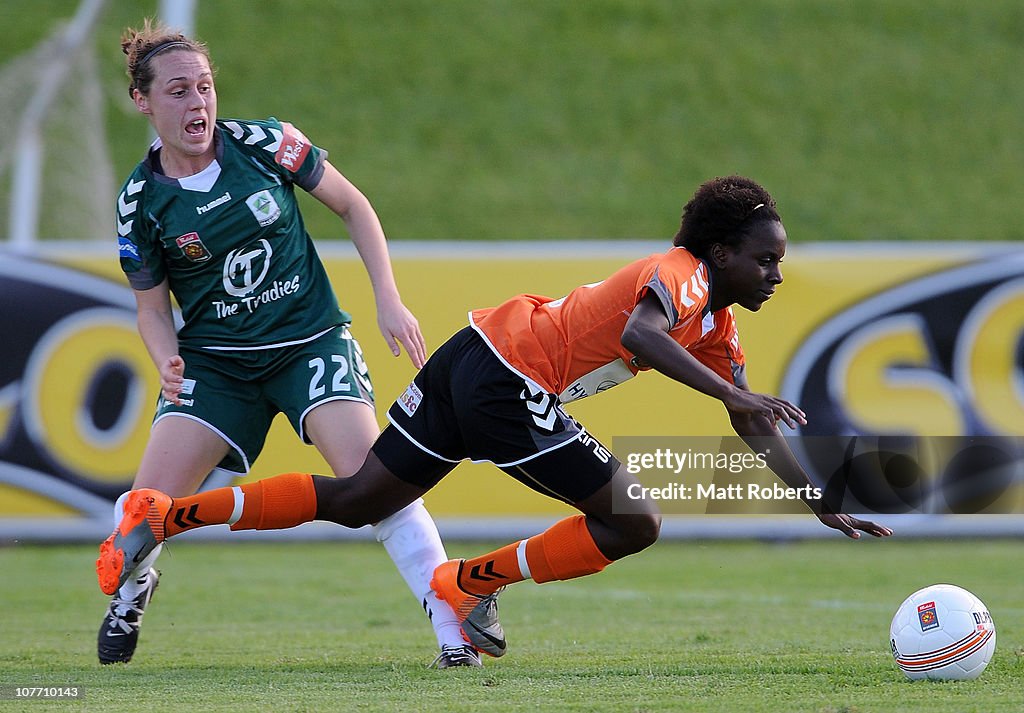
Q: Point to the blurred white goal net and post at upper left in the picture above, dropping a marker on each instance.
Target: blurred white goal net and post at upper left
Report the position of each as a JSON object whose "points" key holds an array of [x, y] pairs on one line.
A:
{"points": [[57, 177]]}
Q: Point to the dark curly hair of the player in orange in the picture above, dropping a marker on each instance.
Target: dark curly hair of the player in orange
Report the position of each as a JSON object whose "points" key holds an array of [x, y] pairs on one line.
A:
{"points": [[723, 211]]}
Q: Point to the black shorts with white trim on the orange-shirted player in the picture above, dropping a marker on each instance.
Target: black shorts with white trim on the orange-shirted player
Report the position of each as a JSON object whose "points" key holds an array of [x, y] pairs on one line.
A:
{"points": [[466, 403]]}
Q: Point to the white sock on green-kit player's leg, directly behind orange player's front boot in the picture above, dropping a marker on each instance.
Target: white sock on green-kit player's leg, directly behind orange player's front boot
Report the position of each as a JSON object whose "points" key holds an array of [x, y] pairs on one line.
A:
{"points": [[411, 538]]}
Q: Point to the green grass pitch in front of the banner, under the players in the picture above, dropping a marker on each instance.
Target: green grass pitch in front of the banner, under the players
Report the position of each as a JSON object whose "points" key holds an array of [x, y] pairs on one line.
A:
{"points": [[724, 627]]}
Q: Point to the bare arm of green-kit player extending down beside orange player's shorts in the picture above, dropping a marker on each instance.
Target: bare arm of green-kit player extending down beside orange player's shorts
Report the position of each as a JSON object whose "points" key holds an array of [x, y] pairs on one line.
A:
{"points": [[396, 322]]}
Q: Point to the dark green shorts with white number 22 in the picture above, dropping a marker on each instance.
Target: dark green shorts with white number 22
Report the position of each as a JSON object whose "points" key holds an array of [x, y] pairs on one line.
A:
{"points": [[238, 394]]}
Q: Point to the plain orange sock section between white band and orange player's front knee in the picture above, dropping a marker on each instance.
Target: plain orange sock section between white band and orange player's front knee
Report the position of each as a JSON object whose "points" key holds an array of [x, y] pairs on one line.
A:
{"points": [[566, 551]]}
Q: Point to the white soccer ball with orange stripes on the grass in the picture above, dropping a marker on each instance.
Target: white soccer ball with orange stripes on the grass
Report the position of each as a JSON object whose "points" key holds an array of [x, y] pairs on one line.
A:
{"points": [[943, 633]]}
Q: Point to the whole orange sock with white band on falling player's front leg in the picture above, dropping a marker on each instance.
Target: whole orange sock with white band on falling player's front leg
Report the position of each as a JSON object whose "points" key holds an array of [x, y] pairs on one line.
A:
{"points": [[566, 551]]}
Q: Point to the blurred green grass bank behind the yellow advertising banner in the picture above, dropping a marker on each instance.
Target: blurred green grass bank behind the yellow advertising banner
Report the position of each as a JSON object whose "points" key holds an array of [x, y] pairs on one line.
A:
{"points": [[543, 119]]}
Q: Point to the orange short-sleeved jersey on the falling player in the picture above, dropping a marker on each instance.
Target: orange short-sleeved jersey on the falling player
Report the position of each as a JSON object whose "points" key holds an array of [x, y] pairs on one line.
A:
{"points": [[573, 347]]}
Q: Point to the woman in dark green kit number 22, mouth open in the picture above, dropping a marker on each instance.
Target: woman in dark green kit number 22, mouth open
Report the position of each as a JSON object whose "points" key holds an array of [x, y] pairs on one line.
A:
{"points": [[210, 217]]}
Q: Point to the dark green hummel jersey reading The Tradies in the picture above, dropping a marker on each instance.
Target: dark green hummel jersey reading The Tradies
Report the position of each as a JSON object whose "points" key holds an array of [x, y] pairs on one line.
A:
{"points": [[231, 241]]}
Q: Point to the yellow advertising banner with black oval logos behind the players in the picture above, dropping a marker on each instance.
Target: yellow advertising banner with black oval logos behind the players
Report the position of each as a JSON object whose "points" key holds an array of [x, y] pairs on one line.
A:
{"points": [[911, 341]]}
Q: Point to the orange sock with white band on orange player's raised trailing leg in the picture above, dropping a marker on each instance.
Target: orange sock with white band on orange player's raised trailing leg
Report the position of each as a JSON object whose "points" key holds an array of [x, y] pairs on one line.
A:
{"points": [[276, 504]]}
